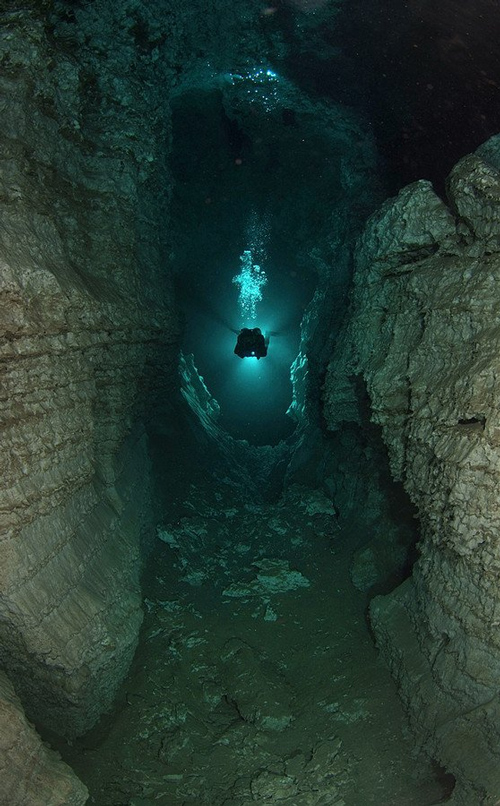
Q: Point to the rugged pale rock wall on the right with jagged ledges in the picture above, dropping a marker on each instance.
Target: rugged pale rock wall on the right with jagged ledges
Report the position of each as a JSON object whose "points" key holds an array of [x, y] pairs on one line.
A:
{"points": [[424, 337]]}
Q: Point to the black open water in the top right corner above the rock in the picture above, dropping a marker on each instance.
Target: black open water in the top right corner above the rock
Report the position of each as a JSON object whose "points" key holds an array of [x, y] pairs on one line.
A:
{"points": [[426, 75]]}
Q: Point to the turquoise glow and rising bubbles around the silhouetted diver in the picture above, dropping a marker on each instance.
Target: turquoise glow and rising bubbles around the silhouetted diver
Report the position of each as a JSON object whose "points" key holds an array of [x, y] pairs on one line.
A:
{"points": [[254, 394]]}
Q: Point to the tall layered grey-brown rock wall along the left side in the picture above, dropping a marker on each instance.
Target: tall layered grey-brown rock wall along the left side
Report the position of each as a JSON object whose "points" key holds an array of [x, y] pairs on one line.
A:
{"points": [[87, 322]]}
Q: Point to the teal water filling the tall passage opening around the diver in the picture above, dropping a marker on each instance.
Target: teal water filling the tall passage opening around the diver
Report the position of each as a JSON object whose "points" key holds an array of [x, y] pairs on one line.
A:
{"points": [[234, 190]]}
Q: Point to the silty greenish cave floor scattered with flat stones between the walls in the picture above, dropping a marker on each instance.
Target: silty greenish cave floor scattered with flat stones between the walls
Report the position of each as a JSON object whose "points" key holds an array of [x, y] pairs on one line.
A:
{"points": [[256, 678]]}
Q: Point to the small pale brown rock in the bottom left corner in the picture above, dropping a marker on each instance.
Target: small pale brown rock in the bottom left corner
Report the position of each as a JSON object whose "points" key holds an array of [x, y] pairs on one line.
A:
{"points": [[31, 774]]}
